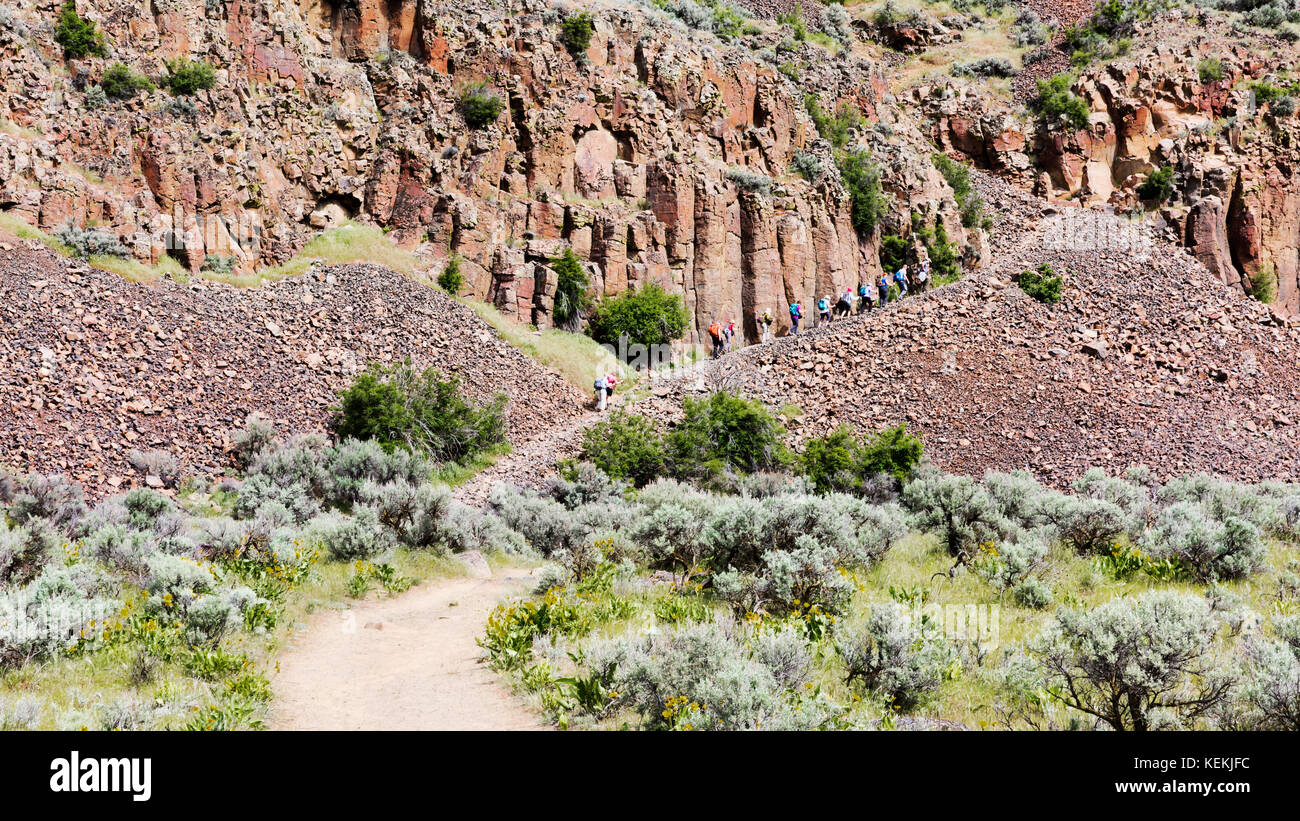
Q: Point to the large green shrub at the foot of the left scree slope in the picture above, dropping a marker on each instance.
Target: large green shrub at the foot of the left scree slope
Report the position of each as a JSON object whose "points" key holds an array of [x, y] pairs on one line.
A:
{"points": [[422, 412]]}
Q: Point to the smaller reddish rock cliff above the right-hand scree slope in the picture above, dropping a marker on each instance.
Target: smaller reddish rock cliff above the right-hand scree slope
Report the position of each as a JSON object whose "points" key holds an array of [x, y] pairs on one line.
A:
{"points": [[1237, 198]]}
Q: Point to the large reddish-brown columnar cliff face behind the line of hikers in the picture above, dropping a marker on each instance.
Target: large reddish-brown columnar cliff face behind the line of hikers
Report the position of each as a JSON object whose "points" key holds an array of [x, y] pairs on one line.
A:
{"points": [[341, 110]]}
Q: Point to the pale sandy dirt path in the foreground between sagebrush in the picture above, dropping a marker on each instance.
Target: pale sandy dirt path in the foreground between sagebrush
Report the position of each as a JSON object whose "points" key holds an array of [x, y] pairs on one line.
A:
{"points": [[408, 663]]}
